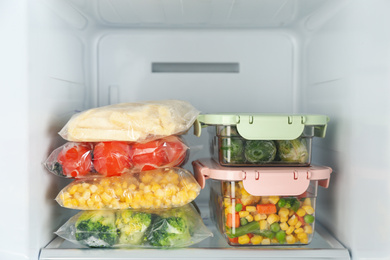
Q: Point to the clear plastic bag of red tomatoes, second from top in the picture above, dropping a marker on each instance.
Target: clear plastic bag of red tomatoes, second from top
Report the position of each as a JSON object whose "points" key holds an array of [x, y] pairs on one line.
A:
{"points": [[79, 160]]}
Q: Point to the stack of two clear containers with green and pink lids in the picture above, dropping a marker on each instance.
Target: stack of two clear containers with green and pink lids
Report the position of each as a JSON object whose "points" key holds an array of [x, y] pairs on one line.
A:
{"points": [[263, 185]]}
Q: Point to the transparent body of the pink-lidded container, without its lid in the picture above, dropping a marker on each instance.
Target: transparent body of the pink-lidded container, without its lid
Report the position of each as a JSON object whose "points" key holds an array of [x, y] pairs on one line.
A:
{"points": [[246, 220]]}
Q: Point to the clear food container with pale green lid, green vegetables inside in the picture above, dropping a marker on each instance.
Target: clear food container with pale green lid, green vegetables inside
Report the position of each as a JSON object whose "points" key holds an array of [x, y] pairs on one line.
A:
{"points": [[261, 139]]}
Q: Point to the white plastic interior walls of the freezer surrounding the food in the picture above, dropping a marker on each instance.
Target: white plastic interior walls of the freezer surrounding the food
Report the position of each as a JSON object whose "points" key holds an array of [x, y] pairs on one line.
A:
{"points": [[327, 57]]}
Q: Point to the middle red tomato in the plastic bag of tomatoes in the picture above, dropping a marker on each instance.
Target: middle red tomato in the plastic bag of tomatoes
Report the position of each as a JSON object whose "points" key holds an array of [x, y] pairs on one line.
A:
{"points": [[112, 158]]}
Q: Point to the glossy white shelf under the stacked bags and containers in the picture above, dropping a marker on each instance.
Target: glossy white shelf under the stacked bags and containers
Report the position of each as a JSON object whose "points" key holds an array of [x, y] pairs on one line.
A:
{"points": [[323, 246]]}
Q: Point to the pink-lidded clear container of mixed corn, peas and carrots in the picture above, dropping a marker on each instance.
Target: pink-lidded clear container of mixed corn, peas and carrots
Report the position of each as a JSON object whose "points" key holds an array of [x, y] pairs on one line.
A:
{"points": [[263, 206]]}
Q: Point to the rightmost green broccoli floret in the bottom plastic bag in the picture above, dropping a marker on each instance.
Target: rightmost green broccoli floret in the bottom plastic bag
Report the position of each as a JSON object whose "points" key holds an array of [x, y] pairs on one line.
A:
{"points": [[169, 232]]}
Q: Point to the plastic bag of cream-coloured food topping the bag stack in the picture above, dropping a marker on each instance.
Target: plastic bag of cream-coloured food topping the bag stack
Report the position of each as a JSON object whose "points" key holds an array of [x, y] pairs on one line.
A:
{"points": [[134, 122]]}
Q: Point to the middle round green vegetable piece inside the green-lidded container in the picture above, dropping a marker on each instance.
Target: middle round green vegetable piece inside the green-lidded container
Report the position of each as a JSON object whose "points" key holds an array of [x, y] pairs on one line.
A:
{"points": [[260, 151]]}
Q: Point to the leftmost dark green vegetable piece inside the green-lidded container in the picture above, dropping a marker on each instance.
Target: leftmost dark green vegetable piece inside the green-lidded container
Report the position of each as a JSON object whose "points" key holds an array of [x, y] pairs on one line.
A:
{"points": [[232, 150]]}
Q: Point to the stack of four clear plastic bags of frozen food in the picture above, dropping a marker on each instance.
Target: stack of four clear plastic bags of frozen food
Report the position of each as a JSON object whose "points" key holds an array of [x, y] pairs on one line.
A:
{"points": [[125, 160]]}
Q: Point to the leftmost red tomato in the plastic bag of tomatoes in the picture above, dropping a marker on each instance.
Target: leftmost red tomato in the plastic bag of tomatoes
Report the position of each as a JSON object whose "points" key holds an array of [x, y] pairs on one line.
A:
{"points": [[75, 159]]}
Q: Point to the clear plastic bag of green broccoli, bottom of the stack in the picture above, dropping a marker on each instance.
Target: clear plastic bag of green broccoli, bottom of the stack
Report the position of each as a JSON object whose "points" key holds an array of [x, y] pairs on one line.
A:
{"points": [[178, 227]]}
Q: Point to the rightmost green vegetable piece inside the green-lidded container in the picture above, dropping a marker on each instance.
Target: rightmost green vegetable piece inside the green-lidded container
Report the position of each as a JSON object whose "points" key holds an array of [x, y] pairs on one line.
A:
{"points": [[293, 151]]}
